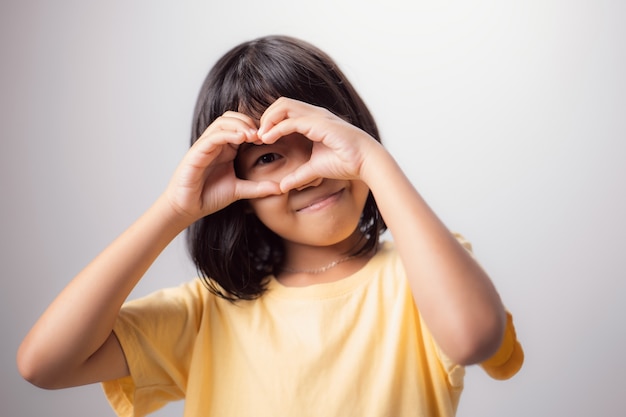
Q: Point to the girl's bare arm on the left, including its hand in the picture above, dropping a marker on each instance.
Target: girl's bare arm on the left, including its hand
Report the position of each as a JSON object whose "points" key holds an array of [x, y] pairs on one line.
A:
{"points": [[72, 343]]}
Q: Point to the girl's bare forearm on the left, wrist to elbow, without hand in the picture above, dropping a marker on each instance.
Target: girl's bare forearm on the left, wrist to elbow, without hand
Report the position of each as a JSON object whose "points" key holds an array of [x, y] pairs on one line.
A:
{"points": [[80, 320]]}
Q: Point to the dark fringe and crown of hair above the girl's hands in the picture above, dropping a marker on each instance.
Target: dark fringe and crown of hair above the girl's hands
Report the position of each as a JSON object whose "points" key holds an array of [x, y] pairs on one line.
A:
{"points": [[251, 77]]}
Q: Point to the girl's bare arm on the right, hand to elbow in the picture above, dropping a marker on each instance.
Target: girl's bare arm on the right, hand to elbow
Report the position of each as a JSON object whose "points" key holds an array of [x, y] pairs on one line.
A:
{"points": [[454, 295]]}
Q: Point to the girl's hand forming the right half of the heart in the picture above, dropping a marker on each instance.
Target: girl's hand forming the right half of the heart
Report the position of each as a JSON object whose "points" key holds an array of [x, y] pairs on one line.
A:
{"points": [[339, 148]]}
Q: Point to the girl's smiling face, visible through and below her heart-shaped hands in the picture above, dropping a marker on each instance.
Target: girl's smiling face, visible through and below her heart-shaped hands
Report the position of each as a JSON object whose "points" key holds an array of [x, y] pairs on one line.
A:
{"points": [[323, 213]]}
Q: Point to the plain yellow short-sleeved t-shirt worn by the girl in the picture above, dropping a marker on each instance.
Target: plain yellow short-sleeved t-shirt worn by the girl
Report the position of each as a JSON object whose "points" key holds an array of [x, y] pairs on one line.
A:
{"points": [[355, 347]]}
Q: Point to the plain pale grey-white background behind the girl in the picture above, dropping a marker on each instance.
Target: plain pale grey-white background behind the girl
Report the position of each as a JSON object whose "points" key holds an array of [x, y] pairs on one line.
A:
{"points": [[508, 116]]}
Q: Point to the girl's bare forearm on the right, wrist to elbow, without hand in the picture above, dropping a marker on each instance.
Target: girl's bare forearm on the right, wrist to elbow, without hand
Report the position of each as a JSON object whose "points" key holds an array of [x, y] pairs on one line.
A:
{"points": [[454, 295]]}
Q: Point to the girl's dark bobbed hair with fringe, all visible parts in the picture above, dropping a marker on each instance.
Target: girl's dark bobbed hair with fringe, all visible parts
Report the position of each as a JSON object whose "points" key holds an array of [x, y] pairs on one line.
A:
{"points": [[233, 251]]}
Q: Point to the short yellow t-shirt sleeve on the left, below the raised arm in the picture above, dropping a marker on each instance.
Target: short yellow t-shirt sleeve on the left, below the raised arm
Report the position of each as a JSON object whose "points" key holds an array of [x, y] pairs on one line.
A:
{"points": [[157, 334]]}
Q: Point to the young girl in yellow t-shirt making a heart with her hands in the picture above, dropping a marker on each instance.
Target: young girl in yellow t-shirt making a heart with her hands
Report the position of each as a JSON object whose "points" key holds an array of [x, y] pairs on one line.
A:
{"points": [[301, 309]]}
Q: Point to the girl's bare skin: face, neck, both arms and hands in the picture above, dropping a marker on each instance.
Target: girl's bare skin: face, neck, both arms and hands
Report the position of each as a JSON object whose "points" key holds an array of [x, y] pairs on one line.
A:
{"points": [[316, 182]]}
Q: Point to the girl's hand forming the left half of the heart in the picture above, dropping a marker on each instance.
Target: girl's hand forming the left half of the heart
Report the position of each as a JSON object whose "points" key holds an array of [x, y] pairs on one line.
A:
{"points": [[205, 180]]}
